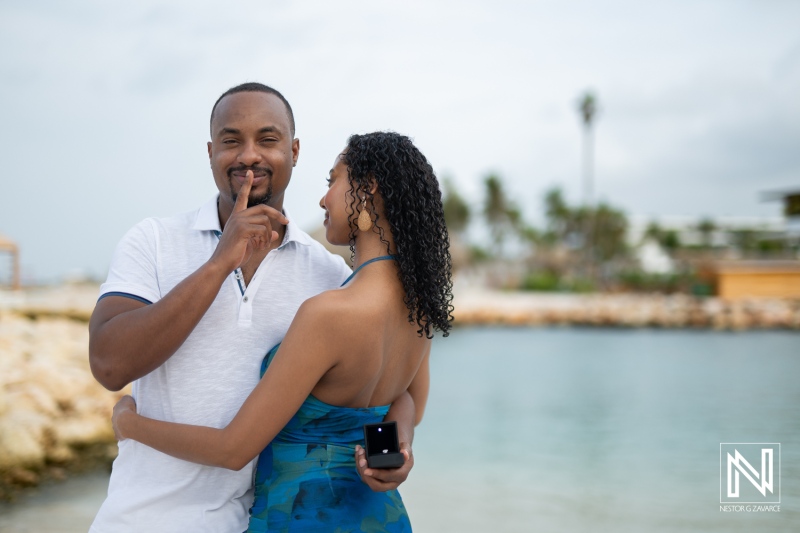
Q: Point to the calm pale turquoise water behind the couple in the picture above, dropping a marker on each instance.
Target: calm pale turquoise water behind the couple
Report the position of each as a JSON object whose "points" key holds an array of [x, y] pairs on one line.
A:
{"points": [[573, 430]]}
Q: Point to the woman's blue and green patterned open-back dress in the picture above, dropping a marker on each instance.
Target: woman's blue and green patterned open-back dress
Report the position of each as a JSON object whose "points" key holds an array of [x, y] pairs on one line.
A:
{"points": [[306, 479]]}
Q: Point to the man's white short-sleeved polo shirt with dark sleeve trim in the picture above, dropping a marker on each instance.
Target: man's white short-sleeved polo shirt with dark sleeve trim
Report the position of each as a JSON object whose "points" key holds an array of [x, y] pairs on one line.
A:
{"points": [[207, 380]]}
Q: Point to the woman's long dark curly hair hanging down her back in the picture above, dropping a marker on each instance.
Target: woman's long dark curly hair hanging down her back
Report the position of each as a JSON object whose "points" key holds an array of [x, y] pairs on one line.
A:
{"points": [[413, 209]]}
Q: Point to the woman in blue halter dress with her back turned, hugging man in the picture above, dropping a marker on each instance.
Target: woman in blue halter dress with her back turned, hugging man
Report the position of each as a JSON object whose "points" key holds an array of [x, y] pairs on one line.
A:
{"points": [[347, 356]]}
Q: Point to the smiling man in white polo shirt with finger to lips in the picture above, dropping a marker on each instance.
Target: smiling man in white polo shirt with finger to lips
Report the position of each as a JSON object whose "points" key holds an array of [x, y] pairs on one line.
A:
{"points": [[192, 304]]}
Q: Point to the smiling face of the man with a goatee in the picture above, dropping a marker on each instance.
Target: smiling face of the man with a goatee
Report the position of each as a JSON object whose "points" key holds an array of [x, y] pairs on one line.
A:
{"points": [[250, 131]]}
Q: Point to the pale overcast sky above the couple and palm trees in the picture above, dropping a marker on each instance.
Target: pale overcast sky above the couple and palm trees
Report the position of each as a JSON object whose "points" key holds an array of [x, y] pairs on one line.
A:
{"points": [[104, 106]]}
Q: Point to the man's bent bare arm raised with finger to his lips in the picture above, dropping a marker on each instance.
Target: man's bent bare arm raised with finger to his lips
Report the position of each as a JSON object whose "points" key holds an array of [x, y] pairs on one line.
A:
{"points": [[128, 339]]}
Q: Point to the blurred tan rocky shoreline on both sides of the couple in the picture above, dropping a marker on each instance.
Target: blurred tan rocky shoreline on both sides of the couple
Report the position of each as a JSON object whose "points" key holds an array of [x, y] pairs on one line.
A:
{"points": [[55, 418]]}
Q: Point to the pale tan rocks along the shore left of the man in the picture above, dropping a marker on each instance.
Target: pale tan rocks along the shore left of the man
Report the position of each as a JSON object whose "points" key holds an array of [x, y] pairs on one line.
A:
{"points": [[54, 417]]}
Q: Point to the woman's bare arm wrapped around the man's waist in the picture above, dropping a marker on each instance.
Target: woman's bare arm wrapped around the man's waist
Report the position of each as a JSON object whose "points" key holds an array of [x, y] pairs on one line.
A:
{"points": [[306, 354]]}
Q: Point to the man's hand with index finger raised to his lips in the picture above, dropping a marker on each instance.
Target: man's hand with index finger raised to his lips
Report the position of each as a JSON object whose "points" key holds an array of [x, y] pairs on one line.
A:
{"points": [[247, 230]]}
